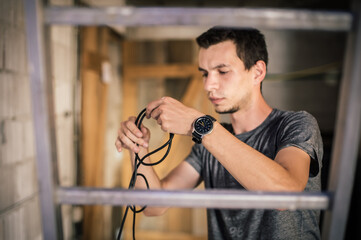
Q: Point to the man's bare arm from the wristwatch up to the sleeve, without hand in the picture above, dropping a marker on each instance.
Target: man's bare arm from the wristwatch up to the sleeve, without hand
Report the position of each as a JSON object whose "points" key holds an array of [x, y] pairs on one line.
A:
{"points": [[289, 170]]}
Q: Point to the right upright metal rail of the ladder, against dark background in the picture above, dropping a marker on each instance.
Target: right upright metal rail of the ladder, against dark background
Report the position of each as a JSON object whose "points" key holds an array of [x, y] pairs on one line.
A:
{"points": [[347, 135]]}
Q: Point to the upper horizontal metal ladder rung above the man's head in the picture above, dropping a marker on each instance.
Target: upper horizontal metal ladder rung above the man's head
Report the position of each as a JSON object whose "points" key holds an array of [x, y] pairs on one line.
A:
{"points": [[166, 16]]}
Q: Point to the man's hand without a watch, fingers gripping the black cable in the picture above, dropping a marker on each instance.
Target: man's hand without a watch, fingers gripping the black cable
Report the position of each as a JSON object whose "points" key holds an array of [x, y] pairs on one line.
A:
{"points": [[129, 136]]}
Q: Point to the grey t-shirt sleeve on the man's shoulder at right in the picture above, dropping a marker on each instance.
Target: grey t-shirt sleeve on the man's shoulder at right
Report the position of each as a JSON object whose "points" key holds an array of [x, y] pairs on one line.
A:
{"points": [[301, 130]]}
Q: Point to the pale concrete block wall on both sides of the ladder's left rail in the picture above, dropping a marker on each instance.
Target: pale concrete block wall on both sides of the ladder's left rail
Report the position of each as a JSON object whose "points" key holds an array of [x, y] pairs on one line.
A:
{"points": [[20, 216]]}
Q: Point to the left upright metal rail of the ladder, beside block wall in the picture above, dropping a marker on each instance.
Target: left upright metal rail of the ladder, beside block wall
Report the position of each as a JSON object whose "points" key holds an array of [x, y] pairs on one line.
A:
{"points": [[43, 116]]}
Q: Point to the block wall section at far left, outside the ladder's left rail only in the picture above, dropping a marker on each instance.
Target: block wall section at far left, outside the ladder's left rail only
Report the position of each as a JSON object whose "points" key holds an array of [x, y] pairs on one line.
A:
{"points": [[19, 204]]}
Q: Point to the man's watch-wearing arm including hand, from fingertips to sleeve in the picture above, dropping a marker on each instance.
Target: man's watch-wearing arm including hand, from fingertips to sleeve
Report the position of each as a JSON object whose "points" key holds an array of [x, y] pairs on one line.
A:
{"points": [[289, 170]]}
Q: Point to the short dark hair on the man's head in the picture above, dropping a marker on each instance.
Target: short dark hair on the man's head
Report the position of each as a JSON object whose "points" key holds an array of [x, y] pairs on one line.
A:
{"points": [[250, 43]]}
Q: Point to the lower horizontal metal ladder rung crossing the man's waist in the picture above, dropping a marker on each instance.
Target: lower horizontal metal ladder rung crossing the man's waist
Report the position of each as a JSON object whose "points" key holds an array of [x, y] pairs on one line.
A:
{"points": [[231, 199]]}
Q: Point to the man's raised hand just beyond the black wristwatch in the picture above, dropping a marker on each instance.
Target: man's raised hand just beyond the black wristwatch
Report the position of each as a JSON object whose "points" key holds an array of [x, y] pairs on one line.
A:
{"points": [[172, 115]]}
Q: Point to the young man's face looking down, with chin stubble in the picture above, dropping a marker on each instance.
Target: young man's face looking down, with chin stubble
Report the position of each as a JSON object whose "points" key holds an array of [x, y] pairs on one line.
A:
{"points": [[229, 86]]}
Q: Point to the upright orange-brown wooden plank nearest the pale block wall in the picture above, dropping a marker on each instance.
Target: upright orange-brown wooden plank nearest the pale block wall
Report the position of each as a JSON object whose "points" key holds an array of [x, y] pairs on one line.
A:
{"points": [[94, 107]]}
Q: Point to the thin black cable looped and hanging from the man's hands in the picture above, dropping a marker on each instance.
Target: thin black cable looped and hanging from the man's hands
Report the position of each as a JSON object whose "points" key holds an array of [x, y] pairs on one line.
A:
{"points": [[137, 162]]}
